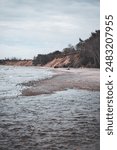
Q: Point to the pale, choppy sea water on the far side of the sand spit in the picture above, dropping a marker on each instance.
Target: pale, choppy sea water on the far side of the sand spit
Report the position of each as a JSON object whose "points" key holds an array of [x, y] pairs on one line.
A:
{"points": [[11, 78]]}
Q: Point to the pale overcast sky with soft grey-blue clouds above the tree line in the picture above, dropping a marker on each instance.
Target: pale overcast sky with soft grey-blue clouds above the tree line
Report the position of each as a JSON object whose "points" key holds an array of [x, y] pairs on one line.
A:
{"points": [[30, 27]]}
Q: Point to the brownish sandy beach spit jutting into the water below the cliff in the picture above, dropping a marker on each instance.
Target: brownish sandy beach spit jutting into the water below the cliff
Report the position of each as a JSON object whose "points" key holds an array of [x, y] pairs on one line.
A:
{"points": [[83, 78]]}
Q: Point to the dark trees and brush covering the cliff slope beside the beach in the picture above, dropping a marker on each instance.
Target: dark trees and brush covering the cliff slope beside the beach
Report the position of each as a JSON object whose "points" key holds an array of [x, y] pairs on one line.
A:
{"points": [[86, 53]]}
